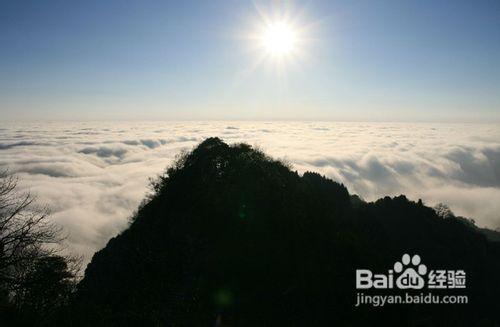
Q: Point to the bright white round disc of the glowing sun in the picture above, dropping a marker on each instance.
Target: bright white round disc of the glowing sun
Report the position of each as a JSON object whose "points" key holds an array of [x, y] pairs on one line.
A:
{"points": [[279, 39]]}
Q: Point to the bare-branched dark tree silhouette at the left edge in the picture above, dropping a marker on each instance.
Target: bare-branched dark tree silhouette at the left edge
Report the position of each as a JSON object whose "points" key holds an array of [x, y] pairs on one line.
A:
{"points": [[34, 279]]}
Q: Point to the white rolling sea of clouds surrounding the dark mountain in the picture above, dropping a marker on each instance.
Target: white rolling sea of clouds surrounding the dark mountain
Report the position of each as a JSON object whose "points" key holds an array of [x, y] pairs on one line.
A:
{"points": [[94, 174]]}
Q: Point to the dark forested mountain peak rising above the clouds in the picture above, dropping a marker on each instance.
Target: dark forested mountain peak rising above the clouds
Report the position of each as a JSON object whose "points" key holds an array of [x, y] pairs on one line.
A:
{"points": [[231, 237]]}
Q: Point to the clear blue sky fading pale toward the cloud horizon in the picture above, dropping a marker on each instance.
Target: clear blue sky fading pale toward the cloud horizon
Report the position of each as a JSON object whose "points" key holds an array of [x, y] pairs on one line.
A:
{"points": [[426, 60]]}
